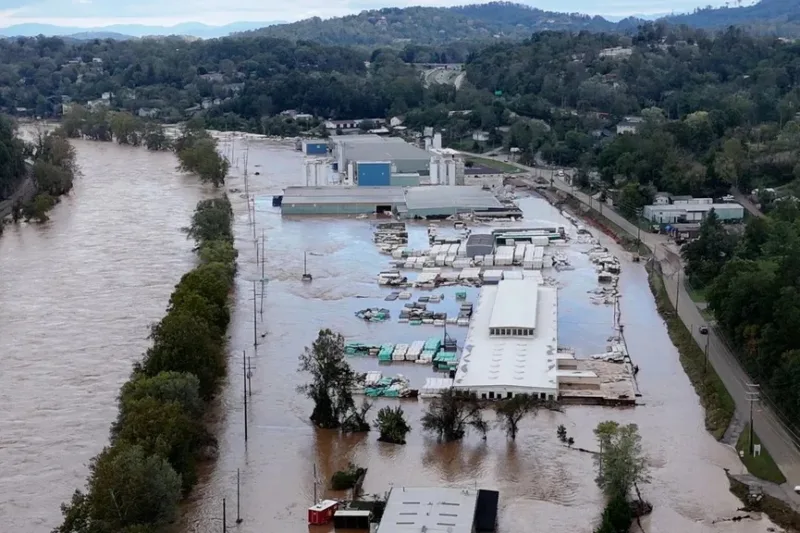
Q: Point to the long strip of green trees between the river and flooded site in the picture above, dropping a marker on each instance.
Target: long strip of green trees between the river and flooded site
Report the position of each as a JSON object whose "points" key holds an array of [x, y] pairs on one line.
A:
{"points": [[136, 483]]}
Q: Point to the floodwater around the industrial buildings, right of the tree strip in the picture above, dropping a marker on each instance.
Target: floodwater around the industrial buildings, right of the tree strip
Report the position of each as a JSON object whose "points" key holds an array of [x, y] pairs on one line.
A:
{"points": [[539, 480]]}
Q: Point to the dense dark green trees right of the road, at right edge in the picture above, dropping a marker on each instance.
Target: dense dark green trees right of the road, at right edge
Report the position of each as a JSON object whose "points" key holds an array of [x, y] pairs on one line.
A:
{"points": [[752, 282]]}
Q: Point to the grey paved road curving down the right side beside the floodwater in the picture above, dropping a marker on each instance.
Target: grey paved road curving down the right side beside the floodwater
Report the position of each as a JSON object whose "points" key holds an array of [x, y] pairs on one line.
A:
{"points": [[774, 435]]}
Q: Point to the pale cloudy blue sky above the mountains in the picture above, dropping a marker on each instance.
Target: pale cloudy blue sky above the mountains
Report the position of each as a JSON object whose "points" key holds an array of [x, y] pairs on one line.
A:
{"points": [[92, 13]]}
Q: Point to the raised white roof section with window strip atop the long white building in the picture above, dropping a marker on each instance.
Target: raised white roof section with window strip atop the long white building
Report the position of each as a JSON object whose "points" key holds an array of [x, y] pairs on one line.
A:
{"points": [[515, 304]]}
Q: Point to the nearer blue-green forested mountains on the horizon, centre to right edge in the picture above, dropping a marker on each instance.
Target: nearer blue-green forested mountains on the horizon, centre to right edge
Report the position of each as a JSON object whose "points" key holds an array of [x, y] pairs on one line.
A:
{"points": [[435, 25]]}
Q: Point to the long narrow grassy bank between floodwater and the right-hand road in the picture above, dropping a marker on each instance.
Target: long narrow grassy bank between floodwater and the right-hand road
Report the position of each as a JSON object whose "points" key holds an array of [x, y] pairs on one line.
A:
{"points": [[714, 397]]}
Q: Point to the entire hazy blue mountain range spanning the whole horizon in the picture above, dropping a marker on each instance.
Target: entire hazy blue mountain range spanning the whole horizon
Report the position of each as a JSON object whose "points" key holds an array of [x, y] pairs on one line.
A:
{"points": [[436, 25]]}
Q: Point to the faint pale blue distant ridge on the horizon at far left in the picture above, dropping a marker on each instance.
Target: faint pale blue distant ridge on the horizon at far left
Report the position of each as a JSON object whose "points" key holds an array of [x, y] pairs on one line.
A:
{"points": [[129, 31]]}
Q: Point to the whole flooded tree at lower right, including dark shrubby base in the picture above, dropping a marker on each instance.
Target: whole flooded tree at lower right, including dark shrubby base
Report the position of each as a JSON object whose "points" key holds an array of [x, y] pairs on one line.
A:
{"points": [[621, 467]]}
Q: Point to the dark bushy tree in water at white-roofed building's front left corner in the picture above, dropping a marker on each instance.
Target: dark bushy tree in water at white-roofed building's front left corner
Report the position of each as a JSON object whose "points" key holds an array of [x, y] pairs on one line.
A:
{"points": [[451, 414]]}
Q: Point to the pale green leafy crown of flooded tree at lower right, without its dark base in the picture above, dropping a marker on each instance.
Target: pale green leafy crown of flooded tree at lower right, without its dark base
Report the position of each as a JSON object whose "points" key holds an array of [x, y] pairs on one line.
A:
{"points": [[621, 464]]}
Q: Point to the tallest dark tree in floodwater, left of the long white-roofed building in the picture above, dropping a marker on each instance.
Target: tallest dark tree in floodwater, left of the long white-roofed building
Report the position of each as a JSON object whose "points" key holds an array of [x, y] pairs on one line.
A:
{"points": [[331, 379]]}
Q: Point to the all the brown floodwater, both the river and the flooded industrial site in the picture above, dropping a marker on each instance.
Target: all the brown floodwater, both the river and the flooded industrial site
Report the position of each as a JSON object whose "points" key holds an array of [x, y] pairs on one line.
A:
{"points": [[77, 295]]}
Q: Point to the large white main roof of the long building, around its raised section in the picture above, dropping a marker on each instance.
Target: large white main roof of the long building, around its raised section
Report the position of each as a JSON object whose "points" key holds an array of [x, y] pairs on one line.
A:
{"points": [[522, 363]]}
